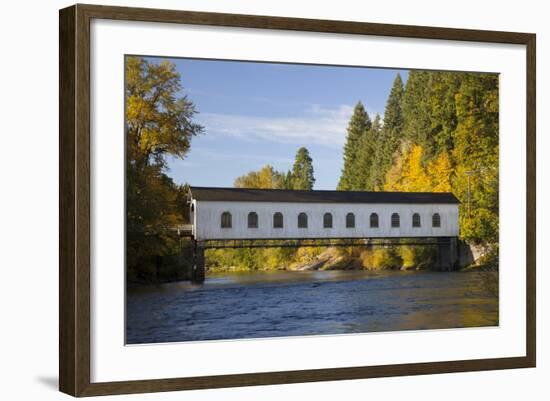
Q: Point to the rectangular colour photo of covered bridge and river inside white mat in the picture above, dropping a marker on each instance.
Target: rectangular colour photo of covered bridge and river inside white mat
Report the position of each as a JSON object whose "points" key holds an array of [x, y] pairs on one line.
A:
{"points": [[279, 199]]}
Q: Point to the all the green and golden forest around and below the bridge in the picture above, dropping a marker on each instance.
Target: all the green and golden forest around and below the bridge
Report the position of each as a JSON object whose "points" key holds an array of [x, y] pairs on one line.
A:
{"points": [[439, 133]]}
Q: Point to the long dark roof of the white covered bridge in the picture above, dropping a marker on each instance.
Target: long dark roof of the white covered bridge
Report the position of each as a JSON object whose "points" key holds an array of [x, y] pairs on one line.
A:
{"points": [[285, 195]]}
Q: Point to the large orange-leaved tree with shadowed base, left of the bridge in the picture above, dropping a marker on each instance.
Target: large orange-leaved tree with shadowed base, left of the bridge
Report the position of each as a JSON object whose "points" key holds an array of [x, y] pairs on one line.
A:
{"points": [[158, 124]]}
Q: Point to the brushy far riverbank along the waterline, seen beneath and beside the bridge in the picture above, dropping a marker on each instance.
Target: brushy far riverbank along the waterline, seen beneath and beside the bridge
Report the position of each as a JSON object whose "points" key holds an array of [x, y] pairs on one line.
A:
{"points": [[177, 268]]}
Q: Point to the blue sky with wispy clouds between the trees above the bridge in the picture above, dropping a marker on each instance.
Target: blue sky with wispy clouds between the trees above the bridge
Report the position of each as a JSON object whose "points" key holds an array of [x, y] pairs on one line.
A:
{"points": [[260, 113]]}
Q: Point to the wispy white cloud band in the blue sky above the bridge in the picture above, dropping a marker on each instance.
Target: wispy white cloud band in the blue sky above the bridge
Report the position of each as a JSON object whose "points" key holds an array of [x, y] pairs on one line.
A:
{"points": [[326, 126]]}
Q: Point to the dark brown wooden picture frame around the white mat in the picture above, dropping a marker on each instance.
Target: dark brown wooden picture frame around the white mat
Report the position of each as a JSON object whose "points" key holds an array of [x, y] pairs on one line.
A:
{"points": [[74, 203]]}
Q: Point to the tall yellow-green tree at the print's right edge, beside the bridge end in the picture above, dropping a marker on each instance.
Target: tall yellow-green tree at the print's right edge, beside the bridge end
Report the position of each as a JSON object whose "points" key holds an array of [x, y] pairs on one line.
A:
{"points": [[476, 156]]}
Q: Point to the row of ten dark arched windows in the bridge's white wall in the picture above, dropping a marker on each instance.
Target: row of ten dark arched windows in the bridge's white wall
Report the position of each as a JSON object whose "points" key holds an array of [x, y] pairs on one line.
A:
{"points": [[278, 221]]}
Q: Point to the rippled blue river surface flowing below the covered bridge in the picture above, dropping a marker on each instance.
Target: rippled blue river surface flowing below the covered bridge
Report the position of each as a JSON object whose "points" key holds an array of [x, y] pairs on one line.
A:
{"points": [[280, 303]]}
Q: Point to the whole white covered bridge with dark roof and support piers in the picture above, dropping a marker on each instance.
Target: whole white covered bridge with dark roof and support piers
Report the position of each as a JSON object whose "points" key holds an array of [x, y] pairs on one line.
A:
{"points": [[228, 214]]}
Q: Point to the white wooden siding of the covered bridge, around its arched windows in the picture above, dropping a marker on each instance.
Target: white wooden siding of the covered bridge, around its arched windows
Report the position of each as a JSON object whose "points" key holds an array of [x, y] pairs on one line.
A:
{"points": [[206, 220]]}
